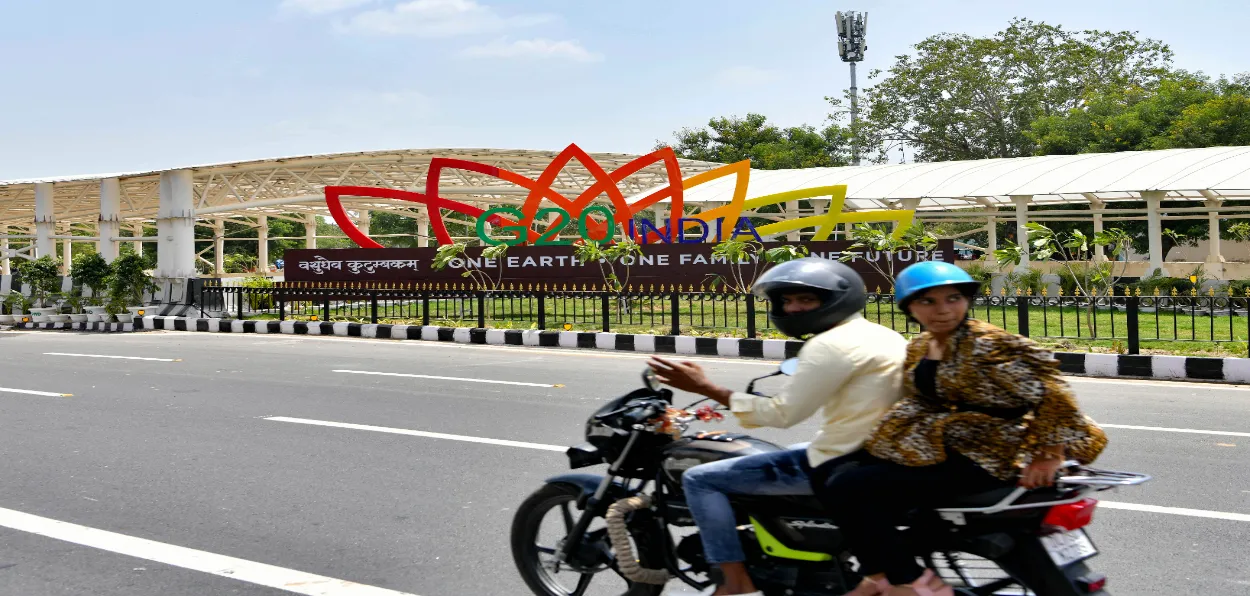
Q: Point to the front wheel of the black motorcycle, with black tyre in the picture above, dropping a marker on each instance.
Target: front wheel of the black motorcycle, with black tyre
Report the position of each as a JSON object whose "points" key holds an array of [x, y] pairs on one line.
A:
{"points": [[534, 559]]}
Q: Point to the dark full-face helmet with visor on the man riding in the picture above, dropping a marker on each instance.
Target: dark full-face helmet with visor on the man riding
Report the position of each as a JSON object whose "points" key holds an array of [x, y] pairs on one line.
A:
{"points": [[841, 289]]}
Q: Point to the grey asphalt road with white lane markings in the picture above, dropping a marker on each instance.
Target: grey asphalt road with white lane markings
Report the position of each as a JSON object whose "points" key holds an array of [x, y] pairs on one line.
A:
{"points": [[181, 480]]}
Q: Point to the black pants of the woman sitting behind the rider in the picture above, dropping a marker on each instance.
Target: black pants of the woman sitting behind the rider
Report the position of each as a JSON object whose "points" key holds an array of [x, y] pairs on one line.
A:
{"points": [[867, 498]]}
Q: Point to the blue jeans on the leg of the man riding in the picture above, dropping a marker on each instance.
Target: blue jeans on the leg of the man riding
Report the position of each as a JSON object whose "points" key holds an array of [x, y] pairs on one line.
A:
{"points": [[709, 485]]}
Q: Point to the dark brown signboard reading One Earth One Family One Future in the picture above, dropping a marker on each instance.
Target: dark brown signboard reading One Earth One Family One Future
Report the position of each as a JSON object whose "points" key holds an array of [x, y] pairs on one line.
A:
{"points": [[686, 264]]}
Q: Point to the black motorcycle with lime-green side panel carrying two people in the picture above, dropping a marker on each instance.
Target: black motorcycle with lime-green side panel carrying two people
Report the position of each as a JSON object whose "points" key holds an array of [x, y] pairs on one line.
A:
{"points": [[633, 522]]}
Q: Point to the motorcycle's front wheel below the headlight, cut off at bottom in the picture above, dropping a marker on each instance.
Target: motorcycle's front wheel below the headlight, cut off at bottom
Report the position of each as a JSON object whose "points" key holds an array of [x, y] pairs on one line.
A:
{"points": [[539, 528]]}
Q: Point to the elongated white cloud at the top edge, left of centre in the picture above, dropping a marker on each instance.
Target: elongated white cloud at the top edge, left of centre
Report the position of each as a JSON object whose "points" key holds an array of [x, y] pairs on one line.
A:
{"points": [[439, 19]]}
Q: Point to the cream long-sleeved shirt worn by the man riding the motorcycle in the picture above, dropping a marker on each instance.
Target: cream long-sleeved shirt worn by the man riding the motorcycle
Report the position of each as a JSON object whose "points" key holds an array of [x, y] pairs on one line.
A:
{"points": [[853, 372]]}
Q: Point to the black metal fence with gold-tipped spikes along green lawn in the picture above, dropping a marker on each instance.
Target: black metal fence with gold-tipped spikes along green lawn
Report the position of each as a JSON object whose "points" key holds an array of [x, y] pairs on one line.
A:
{"points": [[1124, 319]]}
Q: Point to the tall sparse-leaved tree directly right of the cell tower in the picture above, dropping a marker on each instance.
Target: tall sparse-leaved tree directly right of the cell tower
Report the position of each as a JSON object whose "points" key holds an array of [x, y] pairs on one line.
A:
{"points": [[963, 98]]}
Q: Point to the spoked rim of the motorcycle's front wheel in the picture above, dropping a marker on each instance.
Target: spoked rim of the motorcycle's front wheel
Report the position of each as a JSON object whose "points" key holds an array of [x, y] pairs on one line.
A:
{"points": [[549, 525]]}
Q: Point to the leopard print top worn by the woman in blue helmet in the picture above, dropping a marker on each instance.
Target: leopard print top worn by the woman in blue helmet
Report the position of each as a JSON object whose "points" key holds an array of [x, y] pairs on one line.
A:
{"points": [[986, 367]]}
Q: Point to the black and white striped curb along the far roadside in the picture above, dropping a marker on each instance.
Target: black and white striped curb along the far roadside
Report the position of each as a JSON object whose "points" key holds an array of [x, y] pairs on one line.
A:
{"points": [[1101, 365]]}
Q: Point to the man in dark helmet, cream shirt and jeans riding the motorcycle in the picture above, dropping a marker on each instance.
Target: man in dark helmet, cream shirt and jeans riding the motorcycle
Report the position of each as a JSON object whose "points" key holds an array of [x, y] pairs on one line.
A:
{"points": [[852, 369]]}
